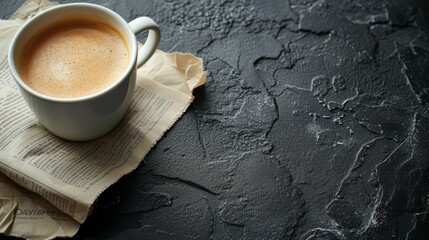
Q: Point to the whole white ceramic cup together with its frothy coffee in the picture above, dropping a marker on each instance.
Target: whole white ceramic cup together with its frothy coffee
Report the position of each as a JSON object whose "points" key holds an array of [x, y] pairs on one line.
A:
{"points": [[76, 67]]}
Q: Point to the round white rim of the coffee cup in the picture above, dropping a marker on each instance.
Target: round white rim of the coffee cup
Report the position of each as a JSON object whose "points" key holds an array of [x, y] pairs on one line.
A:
{"points": [[20, 81]]}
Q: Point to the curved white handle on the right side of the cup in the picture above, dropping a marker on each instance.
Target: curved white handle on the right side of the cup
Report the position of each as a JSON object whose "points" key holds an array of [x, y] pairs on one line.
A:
{"points": [[139, 25]]}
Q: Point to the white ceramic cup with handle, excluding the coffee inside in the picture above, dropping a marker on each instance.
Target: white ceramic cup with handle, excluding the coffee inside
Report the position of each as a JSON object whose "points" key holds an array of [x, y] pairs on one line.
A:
{"points": [[89, 117]]}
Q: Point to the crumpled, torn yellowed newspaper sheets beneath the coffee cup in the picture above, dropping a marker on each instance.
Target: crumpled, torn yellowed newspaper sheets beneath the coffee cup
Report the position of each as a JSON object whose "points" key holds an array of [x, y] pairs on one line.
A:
{"points": [[47, 184]]}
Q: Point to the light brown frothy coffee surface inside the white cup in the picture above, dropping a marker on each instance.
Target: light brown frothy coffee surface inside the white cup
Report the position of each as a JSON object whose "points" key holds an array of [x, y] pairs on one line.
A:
{"points": [[74, 58]]}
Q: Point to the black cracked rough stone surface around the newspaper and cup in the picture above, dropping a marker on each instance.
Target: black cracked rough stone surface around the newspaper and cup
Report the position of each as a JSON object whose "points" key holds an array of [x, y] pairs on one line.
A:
{"points": [[313, 124]]}
